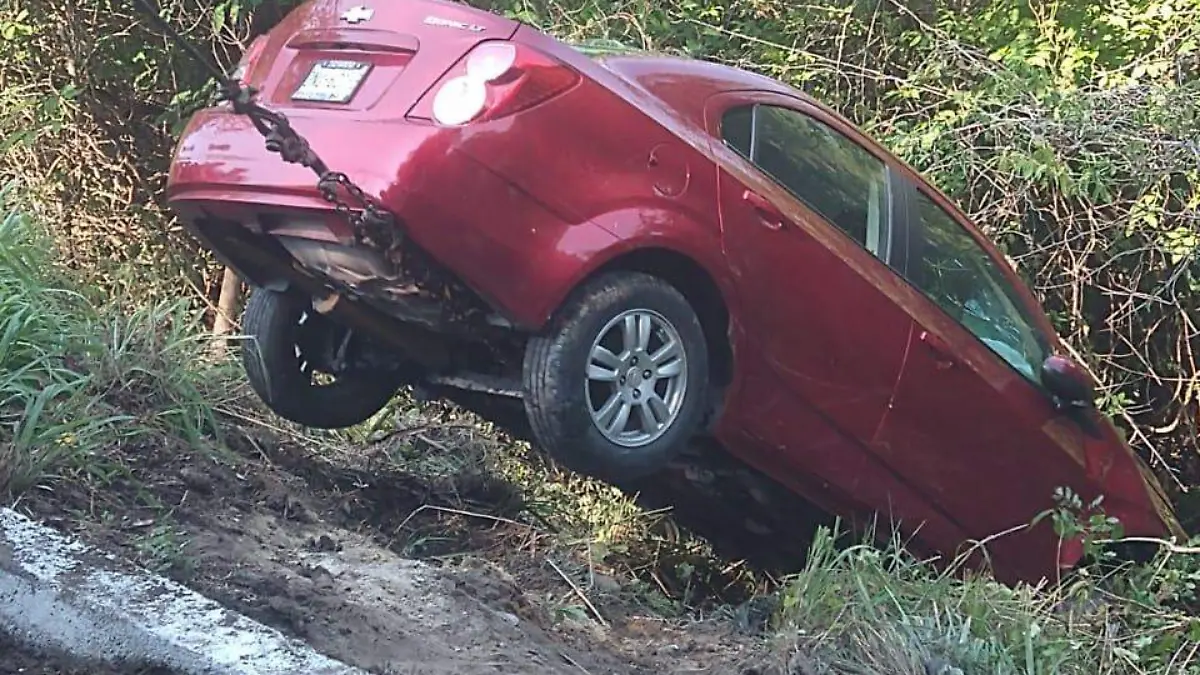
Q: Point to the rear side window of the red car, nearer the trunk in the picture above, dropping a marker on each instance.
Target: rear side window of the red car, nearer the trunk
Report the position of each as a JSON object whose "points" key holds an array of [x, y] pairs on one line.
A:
{"points": [[832, 175]]}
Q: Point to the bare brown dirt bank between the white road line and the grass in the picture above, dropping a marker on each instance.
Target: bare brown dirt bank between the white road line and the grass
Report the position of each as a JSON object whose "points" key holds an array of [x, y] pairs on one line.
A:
{"points": [[321, 549]]}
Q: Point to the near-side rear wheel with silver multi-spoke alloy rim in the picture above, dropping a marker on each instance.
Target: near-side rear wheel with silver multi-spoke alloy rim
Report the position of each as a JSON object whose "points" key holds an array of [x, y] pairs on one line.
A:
{"points": [[563, 392]]}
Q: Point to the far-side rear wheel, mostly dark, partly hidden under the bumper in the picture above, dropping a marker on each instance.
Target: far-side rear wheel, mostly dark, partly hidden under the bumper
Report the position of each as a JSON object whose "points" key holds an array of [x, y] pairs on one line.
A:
{"points": [[292, 357]]}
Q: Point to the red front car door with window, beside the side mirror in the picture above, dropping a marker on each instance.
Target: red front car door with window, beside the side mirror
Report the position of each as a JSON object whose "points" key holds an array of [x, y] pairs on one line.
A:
{"points": [[970, 422]]}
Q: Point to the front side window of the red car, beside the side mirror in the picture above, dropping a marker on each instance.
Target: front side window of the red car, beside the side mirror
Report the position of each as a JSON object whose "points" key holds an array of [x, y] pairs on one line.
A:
{"points": [[951, 267]]}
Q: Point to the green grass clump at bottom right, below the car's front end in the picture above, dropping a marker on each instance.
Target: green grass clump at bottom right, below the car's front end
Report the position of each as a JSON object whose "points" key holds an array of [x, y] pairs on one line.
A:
{"points": [[871, 610]]}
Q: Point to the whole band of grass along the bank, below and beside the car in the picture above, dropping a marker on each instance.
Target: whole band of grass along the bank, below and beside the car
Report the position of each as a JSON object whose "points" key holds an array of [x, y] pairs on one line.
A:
{"points": [[85, 384]]}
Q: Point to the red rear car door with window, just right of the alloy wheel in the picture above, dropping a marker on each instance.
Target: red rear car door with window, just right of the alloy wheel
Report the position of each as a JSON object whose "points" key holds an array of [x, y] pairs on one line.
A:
{"points": [[808, 217]]}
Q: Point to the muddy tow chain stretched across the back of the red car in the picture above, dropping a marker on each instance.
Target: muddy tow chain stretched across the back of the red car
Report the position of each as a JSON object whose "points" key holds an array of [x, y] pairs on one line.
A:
{"points": [[371, 223]]}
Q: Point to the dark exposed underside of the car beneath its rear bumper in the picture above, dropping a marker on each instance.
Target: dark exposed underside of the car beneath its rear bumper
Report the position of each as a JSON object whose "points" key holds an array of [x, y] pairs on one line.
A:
{"points": [[419, 322]]}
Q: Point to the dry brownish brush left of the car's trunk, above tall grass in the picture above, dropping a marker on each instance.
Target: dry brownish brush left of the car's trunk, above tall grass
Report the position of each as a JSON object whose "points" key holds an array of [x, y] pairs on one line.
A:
{"points": [[91, 97]]}
